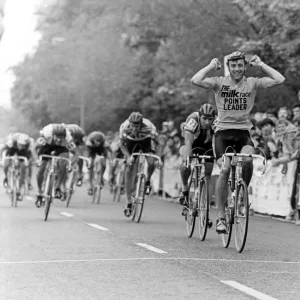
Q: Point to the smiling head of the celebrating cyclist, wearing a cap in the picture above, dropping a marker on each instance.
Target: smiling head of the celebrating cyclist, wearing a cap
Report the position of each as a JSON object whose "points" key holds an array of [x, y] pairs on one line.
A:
{"points": [[236, 63]]}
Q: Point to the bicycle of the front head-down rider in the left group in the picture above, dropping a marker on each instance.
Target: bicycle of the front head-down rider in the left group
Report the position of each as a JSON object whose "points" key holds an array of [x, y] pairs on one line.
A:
{"points": [[52, 173]]}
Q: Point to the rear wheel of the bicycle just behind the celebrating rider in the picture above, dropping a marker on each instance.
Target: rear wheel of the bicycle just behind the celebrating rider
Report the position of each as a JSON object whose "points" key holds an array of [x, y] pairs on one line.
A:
{"points": [[190, 218]]}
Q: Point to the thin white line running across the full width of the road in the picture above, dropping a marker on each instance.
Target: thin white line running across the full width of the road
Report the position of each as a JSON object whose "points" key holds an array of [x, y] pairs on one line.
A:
{"points": [[140, 259]]}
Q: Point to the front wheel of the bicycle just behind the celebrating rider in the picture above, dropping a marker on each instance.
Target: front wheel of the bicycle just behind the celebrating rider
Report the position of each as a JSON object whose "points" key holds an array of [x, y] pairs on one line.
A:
{"points": [[203, 209]]}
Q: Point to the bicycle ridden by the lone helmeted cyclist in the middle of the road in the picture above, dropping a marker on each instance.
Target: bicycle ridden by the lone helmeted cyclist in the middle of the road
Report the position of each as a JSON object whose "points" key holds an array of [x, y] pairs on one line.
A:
{"points": [[139, 197]]}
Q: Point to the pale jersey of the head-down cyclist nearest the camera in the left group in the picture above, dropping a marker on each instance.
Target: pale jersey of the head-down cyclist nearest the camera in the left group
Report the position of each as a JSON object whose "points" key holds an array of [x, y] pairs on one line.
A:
{"points": [[47, 134]]}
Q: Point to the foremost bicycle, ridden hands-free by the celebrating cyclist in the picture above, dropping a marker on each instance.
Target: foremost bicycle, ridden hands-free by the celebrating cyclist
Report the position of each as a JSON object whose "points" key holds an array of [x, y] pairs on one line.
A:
{"points": [[237, 205]]}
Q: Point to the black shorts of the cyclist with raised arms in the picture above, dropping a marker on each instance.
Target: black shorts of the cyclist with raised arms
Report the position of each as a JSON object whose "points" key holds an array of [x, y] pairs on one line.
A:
{"points": [[235, 138]]}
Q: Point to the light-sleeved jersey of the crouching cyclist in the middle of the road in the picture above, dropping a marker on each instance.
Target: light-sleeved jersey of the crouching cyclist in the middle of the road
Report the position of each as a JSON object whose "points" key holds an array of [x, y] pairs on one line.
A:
{"points": [[147, 130]]}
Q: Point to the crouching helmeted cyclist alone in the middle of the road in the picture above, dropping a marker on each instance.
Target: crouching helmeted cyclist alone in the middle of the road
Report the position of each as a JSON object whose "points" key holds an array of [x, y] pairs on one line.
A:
{"points": [[137, 133]]}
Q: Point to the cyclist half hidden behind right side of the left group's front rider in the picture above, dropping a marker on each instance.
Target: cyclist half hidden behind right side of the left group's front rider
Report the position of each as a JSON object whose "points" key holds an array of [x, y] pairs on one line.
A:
{"points": [[78, 135]]}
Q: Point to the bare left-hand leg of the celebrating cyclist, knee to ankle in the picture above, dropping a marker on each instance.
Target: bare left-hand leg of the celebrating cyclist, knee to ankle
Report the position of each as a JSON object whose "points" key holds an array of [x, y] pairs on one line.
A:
{"points": [[222, 189]]}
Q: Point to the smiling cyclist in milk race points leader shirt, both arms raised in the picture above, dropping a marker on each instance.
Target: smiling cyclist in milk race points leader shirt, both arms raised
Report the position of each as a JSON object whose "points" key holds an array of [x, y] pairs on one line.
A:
{"points": [[234, 96]]}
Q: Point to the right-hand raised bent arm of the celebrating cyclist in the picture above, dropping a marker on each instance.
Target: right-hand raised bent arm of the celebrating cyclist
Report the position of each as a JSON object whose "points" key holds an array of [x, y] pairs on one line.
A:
{"points": [[273, 77]]}
